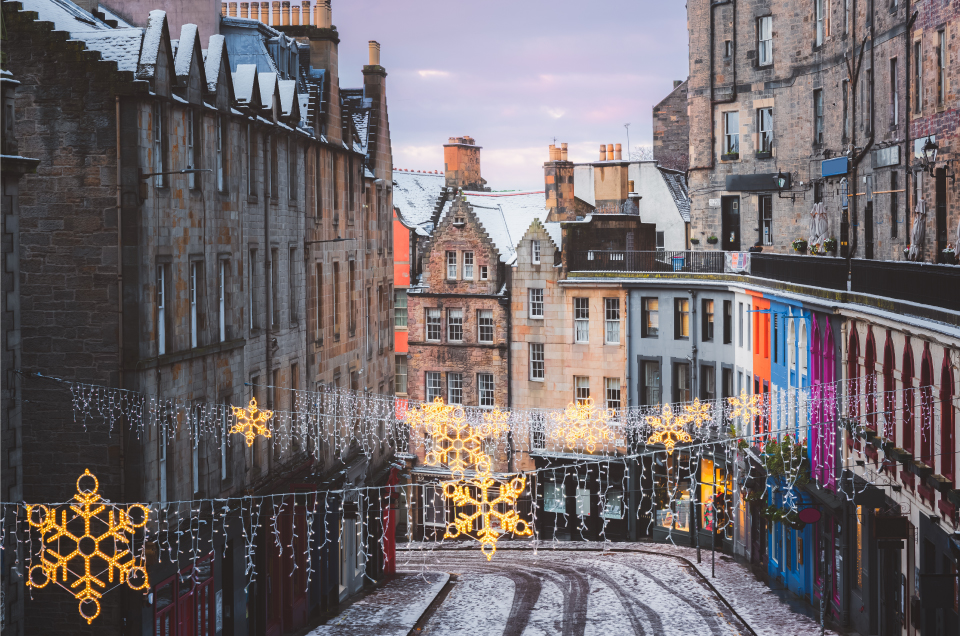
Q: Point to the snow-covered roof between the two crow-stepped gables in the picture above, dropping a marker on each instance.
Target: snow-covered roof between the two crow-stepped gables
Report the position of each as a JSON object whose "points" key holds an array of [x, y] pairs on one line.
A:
{"points": [[505, 217]]}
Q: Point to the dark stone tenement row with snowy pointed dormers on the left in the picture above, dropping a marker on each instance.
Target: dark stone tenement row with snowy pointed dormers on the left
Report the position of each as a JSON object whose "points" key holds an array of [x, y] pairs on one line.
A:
{"points": [[209, 222]]}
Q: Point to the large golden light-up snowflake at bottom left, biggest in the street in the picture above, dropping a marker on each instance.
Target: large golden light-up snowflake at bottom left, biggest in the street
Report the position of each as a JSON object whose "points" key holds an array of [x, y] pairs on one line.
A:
{"points": [[74, 540]]}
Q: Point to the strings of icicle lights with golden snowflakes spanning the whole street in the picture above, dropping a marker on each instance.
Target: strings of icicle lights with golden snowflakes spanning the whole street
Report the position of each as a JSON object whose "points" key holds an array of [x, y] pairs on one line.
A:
{"points": [[760, 436]]}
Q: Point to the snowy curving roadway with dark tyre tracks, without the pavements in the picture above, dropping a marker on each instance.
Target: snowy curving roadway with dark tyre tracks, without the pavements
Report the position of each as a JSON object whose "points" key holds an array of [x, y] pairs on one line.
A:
{"points": [[520, 593]]}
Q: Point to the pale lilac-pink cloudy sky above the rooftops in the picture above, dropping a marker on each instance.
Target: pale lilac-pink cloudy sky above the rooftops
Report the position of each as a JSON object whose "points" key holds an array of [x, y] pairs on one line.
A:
{"points": [[514, 75]]}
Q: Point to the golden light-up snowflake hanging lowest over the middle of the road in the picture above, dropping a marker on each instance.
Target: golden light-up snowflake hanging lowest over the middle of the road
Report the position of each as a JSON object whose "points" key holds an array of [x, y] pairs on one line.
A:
{"points": [[492, 522]]}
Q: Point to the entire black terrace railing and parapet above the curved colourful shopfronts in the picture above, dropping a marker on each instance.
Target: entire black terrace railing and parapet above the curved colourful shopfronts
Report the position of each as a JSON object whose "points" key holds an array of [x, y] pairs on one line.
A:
{"points": [[922, 283]]}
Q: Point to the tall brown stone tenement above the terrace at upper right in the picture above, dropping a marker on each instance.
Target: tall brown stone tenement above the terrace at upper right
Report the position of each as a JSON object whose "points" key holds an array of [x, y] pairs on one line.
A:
{"points": [[792, 106]]}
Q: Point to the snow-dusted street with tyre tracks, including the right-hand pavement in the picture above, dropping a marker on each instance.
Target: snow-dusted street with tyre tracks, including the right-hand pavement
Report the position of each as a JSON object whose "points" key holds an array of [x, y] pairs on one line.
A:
{"points": [[573, 592]]}
